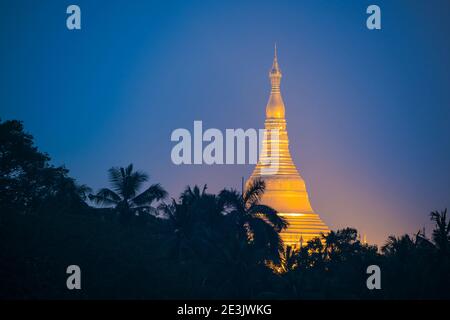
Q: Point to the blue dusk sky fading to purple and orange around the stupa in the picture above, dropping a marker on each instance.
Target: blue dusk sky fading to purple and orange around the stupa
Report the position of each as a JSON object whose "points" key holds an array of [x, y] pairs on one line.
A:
{"points": [[368, 111]]}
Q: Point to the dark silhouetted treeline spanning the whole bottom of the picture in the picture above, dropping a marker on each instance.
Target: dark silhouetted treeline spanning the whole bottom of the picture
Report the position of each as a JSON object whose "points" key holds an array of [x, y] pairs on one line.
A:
{"points": [[132, 241]]}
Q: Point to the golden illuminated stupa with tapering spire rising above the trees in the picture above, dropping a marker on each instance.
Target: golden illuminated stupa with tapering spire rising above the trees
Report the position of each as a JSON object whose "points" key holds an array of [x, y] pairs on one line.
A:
{"points": [[285, 188]]}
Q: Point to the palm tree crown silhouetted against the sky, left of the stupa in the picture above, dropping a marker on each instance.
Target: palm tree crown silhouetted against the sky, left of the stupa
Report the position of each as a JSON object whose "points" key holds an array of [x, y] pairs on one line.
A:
{"points": [[124, 195]]}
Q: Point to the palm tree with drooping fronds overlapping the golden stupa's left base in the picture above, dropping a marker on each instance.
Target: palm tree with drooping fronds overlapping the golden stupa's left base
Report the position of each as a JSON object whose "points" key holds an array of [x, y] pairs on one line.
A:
{"points": [[258, 224]]}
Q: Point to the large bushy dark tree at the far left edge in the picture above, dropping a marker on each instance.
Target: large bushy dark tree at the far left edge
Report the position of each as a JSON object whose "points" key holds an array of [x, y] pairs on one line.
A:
{"points": [[28, 182]]}
